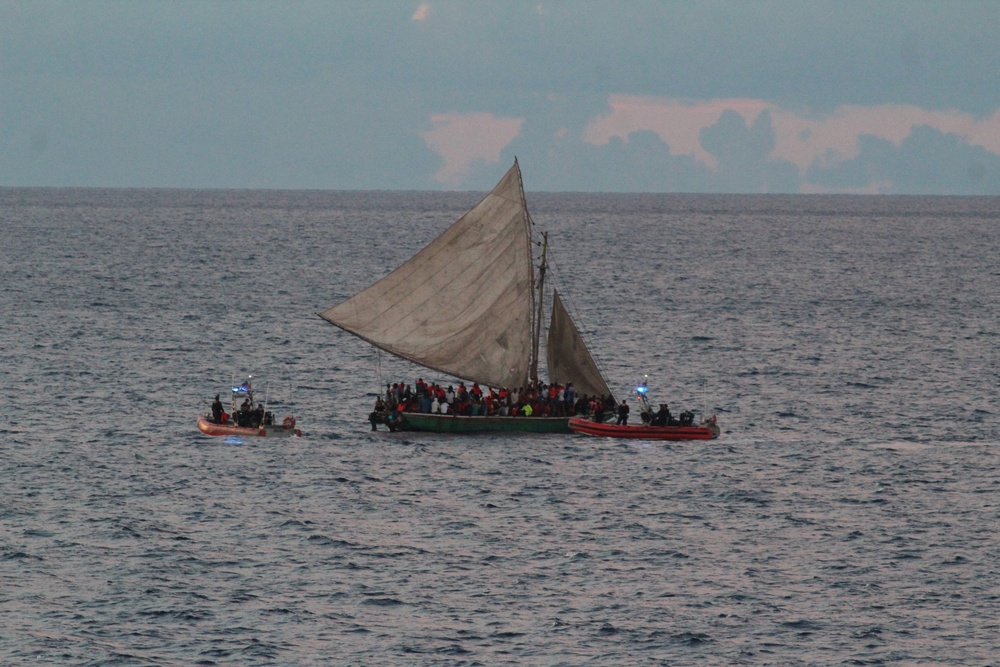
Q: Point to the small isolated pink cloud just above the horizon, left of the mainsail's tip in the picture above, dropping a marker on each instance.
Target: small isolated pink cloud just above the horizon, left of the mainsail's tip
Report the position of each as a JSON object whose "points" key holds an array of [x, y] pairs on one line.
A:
{"points": [[462, 139]]}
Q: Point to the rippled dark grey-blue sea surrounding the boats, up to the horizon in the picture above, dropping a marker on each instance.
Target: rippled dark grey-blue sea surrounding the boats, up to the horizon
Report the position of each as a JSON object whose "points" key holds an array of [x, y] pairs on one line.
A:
{"points": [[847, 515]]}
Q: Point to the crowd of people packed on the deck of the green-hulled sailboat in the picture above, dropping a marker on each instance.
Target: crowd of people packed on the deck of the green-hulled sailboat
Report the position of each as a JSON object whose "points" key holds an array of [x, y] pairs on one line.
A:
{"points": [[535, 400]]}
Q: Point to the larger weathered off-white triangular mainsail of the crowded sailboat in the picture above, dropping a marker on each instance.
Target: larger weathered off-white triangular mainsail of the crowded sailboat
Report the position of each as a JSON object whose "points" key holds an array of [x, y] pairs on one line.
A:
{"points": [[463, 305]]}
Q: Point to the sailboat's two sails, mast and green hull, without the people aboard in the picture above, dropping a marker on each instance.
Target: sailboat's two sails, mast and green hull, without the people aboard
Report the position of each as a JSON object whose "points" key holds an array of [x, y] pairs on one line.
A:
{"points": [[467, 305]]}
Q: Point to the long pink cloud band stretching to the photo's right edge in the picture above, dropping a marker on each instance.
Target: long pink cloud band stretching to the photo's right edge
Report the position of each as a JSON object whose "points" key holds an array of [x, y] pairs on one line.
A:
{"points": [[799, 139]]}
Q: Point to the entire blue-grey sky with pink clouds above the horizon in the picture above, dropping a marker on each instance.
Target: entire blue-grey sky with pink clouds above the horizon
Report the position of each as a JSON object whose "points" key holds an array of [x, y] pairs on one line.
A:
{"points": [[779, 96]]}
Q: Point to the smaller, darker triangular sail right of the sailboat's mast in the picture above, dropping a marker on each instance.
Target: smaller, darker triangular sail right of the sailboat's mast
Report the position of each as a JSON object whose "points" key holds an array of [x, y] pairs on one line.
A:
{"points": [[567, 355]]}
